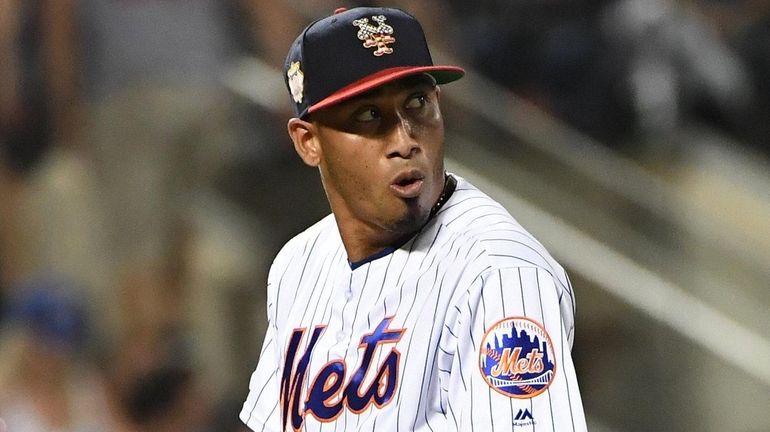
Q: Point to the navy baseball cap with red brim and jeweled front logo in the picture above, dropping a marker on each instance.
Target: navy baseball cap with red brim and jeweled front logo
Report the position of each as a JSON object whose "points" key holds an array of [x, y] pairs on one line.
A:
{"points": [[356, 50]]}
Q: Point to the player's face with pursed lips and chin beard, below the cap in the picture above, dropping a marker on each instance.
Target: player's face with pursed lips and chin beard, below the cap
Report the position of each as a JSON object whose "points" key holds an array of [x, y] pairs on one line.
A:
{"points": [[382, 155]]}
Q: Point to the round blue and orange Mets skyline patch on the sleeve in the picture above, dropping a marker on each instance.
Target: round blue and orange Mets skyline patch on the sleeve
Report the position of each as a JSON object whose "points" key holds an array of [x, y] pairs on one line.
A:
{"points": [[516, 358]]}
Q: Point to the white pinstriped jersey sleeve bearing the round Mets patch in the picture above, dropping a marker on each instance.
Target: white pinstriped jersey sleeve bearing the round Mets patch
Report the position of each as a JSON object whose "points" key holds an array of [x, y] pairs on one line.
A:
{"points": [[512, 366]]}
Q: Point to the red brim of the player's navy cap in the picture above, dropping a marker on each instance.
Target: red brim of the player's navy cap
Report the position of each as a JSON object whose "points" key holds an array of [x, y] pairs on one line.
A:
{"points": [[442, 75]]}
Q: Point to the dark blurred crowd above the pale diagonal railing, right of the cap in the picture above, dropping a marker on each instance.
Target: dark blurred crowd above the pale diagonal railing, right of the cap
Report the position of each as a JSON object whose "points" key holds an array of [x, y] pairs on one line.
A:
{"points": [[630, 73]]}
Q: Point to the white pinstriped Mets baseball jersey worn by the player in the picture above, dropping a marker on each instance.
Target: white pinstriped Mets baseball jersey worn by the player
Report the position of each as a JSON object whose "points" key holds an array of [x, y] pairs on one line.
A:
{"points": [[467, 326]]}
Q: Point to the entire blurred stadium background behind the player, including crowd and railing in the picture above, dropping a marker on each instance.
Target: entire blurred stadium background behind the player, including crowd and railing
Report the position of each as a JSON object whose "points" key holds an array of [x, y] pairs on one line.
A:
{"points": [[147, 181]]}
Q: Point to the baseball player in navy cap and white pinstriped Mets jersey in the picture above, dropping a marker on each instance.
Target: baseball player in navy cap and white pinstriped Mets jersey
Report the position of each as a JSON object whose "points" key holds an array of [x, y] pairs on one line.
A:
{"points": [[419, 304]]}
